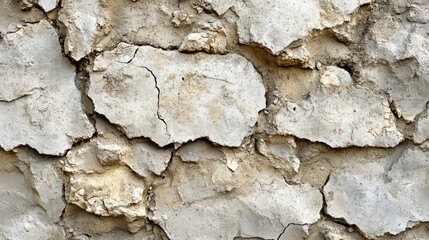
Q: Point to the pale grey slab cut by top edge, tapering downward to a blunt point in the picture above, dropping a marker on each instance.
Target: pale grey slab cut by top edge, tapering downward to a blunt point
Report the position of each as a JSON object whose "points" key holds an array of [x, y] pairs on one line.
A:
{"points": [[276, 24]]}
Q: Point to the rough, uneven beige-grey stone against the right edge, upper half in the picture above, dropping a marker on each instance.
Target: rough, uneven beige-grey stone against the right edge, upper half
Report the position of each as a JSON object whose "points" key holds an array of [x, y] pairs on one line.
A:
{"points": [[401, 47]]}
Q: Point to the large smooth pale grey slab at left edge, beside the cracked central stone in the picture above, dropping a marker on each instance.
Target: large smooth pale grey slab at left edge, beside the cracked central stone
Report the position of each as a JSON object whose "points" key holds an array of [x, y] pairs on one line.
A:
{"points": [[39, 101]]}
